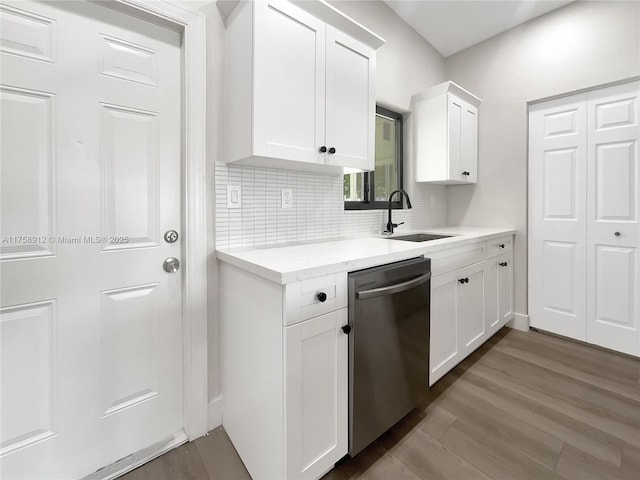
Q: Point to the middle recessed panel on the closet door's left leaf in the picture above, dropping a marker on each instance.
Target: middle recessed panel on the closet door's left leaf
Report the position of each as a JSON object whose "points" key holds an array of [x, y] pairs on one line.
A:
{"points": [[559, 184]]}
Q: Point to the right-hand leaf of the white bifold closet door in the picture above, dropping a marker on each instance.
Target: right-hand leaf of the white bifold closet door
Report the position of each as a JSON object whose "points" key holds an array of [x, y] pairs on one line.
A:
{"points": [[613, 236]]}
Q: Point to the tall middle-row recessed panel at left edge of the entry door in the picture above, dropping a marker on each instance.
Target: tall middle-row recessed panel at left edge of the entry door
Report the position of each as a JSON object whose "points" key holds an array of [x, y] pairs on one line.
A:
{"points": [[27, 161]]}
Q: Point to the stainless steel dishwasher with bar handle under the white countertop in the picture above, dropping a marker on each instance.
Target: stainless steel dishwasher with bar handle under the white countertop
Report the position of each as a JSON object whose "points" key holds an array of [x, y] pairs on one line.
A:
{"points": [[388, 346]]}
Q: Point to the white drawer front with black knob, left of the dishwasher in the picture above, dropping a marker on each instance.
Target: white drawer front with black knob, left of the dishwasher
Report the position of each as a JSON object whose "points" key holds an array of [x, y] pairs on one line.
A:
{"points": [[316, 296]]}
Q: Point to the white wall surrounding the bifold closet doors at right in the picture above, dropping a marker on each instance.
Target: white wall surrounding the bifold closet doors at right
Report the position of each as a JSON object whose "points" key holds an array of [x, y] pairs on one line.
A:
{"points": [[581, 45]]}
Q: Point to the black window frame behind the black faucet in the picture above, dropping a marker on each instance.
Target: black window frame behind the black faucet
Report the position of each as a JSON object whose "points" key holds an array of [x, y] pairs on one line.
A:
{"points": [[369, 177]]}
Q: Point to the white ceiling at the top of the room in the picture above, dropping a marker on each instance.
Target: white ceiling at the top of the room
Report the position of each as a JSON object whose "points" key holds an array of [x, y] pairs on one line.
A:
{"points": [[451, 26]]}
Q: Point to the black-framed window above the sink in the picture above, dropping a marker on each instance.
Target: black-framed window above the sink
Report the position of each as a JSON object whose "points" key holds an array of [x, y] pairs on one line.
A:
{"points": [[371, 190]]}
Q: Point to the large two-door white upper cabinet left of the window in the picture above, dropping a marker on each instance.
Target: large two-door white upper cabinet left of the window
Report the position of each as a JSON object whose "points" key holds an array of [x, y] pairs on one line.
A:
{"points": [[300, 92]]}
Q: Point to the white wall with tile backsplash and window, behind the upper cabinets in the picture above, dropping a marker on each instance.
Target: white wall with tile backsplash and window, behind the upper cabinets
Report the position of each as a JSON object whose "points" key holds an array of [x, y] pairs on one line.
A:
{"points": [[405, 64]]}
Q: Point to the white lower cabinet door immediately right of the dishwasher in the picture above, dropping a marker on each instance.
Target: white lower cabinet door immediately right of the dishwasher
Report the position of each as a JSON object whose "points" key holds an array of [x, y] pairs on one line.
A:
{"points": [[443, 342]]}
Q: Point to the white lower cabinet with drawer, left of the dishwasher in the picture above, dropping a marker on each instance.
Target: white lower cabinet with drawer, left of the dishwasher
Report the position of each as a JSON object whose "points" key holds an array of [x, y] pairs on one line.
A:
{"points": [[284, 372]]}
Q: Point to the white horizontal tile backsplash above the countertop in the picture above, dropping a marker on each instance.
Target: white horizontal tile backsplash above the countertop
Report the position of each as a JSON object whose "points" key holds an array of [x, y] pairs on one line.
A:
{"points": [[317, 212]]}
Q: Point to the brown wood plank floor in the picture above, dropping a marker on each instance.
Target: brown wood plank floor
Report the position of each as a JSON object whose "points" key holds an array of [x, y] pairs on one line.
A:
{"points": [[524, 406]]}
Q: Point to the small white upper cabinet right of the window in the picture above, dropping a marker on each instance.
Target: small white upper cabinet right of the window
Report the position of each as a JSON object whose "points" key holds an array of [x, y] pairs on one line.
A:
{"points": [[446, 135]]}
